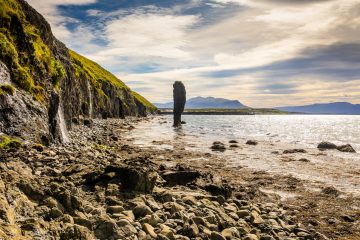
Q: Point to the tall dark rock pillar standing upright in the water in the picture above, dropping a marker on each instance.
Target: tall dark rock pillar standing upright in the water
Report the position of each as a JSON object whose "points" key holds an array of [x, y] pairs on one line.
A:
{"points": [[179, 102]]}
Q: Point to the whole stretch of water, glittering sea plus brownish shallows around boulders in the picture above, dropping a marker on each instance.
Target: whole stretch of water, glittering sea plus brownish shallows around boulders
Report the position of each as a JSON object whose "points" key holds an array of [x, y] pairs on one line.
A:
{"points": [[274, 133]]}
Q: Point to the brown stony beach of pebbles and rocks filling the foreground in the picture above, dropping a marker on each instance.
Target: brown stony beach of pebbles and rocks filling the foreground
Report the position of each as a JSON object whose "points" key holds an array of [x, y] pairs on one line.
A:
{"points": [[101, 186]]}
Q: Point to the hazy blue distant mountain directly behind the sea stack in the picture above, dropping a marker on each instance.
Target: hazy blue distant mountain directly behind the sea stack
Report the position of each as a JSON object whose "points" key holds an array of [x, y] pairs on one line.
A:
{"points": [[206, 102]]}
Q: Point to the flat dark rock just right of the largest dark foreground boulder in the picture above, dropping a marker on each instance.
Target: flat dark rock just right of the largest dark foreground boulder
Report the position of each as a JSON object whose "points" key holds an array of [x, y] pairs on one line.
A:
{"points": [[180, 177]]}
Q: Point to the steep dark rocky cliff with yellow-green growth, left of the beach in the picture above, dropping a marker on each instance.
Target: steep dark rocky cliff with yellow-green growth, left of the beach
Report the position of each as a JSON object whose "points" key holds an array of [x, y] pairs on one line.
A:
{"points": [[45, 87]]}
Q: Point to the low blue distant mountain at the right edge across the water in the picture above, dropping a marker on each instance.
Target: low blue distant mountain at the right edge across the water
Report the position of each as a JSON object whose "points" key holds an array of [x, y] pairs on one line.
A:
{"points": [[326, 108]]}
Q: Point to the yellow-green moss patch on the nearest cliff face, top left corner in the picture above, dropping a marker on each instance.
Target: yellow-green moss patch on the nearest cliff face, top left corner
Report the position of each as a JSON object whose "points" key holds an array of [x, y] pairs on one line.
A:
{"points": [[37, 62]]}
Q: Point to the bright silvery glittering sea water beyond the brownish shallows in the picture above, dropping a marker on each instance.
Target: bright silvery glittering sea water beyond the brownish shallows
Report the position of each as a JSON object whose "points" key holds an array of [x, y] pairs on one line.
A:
{"points": [[306, 130]]}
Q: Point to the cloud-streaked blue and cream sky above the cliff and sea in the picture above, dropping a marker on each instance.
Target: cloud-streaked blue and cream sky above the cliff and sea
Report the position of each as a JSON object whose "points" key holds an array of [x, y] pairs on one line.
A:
{"points": [[265, 53]]}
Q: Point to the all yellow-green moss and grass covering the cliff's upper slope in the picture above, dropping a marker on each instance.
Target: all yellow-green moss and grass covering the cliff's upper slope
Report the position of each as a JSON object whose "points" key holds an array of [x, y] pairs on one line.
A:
{"points": [[27, 76]]}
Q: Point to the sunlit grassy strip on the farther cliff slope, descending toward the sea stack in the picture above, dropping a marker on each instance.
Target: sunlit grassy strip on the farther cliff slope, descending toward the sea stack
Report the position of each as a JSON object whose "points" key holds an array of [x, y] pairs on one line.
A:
{"points": [[97, 75]]}
